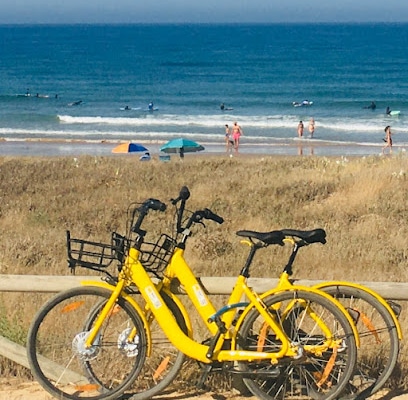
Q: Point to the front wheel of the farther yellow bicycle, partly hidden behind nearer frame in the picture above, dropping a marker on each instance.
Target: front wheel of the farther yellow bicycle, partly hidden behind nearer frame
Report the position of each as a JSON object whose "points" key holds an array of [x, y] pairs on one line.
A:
{"points": [[162, 366]]}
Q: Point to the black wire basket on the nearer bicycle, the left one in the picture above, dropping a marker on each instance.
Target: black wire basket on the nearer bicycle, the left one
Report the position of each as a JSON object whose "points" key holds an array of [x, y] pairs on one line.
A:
{"points": [[96, 255]]}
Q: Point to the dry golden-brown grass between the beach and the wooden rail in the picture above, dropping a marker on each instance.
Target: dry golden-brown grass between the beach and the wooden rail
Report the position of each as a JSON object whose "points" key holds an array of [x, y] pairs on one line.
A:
{"points": [[362, 204]]}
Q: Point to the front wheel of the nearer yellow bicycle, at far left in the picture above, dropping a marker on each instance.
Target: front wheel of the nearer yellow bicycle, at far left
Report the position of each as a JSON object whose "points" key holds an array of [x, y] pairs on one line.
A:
{"points": [[61, 362]]}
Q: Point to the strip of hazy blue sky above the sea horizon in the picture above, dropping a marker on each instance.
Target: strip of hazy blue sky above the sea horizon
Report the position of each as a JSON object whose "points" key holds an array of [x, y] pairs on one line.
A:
{"points": [[201, 11]]}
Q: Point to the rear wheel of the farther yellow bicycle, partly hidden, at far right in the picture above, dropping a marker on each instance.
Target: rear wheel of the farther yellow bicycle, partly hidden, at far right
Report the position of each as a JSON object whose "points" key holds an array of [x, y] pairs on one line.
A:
{"points": [[379, 342]]}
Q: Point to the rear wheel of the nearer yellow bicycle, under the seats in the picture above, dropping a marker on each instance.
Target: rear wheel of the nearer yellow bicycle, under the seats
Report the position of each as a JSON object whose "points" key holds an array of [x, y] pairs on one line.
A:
{"points": [[312, 374]]}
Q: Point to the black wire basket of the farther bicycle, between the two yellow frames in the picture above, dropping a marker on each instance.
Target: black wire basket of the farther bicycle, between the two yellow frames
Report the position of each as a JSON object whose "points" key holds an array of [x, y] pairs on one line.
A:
{"points": [[156, 256]]}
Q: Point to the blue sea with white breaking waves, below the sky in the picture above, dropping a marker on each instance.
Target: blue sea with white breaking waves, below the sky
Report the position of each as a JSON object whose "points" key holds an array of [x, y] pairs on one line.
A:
{"points": [[91, 84]]}
